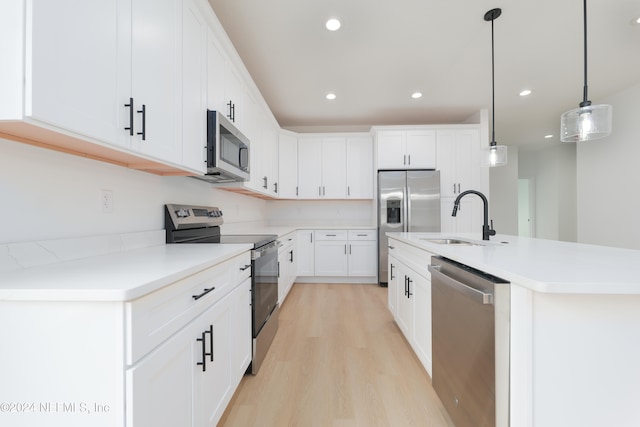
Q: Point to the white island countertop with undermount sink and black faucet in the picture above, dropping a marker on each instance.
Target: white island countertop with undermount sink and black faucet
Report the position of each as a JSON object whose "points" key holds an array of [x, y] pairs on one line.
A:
{"points": [[542, 265]]}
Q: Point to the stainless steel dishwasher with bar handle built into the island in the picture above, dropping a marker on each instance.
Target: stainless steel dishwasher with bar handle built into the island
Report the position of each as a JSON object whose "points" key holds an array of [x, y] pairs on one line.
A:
{"points": [[470, 332]]}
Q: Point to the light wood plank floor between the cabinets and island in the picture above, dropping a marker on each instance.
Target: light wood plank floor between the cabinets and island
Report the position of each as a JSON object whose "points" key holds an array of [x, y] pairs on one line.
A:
{"points": [[338, 360]]}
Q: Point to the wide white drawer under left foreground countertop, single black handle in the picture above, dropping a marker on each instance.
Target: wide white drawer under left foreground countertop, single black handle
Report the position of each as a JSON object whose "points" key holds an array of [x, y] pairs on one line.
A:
{"points": [[153, 318]]}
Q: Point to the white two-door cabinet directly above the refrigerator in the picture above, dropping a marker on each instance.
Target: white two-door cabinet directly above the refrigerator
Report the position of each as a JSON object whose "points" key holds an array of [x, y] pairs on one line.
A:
{"points": [[406, 149]]}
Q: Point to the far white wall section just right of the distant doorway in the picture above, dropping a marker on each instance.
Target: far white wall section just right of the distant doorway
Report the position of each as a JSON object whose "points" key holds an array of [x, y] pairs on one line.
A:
{"points": [[554, 171]]}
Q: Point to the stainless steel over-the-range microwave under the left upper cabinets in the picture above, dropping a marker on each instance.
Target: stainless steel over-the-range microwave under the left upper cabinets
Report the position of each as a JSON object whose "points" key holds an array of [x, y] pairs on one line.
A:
{"points": [[227, 151]]}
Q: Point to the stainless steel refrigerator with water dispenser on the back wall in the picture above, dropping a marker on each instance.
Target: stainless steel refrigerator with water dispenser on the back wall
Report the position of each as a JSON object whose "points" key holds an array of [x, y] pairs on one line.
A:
{"points": [[407, 201]]}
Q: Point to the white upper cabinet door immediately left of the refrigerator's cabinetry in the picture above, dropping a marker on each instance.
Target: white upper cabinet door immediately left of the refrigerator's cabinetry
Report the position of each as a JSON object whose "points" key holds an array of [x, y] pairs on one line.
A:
{"points": [[359, 168]]}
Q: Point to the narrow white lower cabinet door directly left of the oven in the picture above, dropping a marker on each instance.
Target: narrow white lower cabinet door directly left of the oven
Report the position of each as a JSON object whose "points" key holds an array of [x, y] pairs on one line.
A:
{"points": [[240, 337]]}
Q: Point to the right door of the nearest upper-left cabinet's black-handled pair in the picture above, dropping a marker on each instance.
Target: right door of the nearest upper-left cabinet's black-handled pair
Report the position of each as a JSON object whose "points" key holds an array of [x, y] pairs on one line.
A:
{"points": [[156, 77]]}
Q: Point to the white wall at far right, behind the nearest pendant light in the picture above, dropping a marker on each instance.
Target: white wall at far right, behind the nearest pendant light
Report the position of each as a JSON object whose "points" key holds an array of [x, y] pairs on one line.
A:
{"points": [[608, 176]]}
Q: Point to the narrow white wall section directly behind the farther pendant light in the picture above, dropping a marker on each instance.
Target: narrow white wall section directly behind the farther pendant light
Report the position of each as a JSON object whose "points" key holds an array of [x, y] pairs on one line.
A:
{"points": [[503, 203]]}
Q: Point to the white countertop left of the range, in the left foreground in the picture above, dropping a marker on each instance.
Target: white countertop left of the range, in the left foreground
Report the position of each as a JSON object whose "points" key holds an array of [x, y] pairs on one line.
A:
{"points": [[121, 276]]}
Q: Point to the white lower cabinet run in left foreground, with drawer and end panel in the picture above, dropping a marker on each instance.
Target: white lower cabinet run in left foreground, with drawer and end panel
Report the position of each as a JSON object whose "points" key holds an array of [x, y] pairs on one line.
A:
{"points": [[165, 359]]}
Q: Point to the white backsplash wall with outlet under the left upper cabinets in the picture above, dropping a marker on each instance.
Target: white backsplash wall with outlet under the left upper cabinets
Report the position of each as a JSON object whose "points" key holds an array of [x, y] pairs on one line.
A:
{"points": [[50, 195]]}
